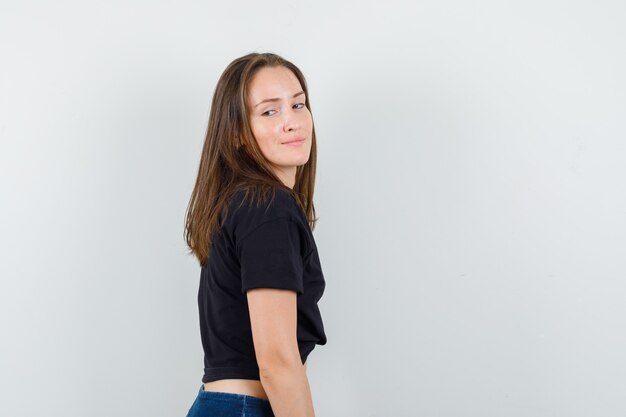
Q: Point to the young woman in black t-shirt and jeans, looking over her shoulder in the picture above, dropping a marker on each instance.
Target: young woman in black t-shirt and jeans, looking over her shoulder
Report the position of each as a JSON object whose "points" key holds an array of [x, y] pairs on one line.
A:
{"points": [[249, 223]]}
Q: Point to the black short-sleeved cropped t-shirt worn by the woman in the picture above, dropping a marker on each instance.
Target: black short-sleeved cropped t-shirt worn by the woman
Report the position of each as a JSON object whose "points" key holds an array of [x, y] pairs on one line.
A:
{"points": [[268, 246]]}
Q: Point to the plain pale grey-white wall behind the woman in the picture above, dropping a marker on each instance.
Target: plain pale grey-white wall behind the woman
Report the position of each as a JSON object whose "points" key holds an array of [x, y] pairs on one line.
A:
{"points": [[471, 170]]}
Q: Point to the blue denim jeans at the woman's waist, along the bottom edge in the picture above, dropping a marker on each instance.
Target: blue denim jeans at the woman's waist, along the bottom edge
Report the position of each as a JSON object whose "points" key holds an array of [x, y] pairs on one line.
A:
{"points": [[226, 404]]}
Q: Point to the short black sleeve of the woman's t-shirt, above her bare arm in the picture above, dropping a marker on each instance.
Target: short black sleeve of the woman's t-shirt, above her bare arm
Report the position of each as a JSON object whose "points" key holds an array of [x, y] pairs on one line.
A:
{"points": [[270, 256]]}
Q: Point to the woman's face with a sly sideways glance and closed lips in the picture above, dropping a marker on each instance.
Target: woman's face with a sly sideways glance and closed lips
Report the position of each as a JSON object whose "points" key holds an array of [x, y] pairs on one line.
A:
{"points": [[278, 115]]}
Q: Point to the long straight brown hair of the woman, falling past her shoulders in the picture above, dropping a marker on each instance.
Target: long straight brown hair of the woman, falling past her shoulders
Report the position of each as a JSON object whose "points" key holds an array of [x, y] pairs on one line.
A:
{"points": [[231, 159]]}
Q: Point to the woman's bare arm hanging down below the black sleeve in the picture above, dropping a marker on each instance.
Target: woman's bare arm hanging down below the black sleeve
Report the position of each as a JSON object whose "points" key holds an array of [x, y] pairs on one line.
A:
{"points": [[273, 316]]}
